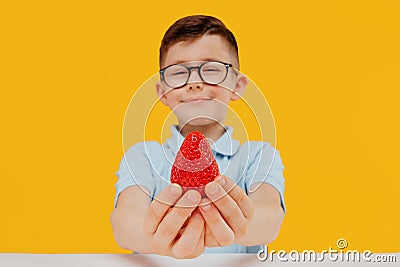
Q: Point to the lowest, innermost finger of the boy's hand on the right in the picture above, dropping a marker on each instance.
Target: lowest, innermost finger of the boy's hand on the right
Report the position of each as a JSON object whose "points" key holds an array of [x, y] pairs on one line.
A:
{"points": [[220, 230]]}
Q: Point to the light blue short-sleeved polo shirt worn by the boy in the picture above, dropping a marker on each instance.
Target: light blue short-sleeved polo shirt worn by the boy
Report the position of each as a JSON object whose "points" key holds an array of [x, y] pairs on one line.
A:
{"points": [[148, 164]]}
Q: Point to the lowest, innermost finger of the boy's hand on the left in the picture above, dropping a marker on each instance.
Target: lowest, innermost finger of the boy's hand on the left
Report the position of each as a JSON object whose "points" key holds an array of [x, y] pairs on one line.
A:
{"points": [[186, 244]]}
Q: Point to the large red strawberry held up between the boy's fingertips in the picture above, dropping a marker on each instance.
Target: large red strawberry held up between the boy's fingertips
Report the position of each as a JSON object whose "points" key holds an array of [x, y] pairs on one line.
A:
{"points": [[194, 165]]}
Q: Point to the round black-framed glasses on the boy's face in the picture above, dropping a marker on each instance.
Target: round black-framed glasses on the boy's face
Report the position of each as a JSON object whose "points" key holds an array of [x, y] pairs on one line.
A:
{"points": [[210, 72]]}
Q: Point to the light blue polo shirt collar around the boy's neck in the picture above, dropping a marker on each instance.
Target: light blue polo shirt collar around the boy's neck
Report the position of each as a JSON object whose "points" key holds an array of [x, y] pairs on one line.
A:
{"points": [[225, 145]]}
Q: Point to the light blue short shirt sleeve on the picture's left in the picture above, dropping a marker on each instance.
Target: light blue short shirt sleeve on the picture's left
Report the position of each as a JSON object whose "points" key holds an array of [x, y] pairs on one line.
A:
{"points": [[135, 169]]}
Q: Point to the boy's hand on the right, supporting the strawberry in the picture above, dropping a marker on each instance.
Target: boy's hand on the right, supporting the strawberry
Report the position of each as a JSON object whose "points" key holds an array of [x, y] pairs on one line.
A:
{"points": [[226, 212]]}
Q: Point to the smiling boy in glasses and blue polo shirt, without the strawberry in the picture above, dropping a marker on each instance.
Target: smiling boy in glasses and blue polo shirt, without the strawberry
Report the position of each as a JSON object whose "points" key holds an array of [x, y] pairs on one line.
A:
{"points": [[244, 206]]}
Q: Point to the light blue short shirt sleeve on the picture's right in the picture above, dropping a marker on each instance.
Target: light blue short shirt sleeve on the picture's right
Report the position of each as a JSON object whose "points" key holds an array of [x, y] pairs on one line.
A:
{"points": [[265, 166]]}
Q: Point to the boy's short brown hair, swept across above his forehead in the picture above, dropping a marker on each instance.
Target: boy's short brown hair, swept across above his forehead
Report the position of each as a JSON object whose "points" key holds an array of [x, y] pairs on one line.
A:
{"points": [[193, 27]]}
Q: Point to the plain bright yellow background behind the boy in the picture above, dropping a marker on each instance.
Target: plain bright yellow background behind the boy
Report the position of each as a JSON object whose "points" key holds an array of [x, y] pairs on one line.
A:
{"points": [[329, 69]]}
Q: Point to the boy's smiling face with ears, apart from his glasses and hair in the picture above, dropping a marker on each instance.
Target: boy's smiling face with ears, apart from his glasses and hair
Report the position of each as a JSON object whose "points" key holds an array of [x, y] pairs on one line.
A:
{"points": [[198, 103]]}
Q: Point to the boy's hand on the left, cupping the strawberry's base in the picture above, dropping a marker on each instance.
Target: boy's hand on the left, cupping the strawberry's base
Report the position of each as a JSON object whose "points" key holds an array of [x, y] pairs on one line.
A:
{"points": [[165, 221]]}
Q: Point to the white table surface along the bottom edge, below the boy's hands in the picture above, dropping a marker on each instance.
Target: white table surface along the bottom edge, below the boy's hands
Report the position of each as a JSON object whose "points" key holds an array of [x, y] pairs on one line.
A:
{"points": [[131, 260]]}
